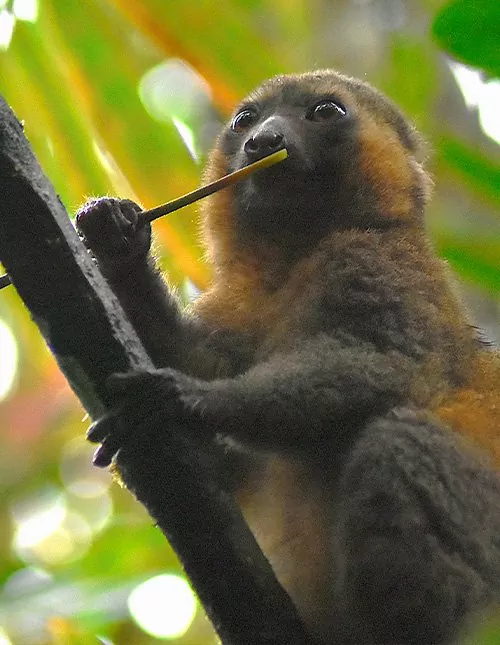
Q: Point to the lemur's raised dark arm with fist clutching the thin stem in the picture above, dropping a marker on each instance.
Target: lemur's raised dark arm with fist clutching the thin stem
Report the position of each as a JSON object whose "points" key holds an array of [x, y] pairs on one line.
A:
{"points": [[120, 241]]}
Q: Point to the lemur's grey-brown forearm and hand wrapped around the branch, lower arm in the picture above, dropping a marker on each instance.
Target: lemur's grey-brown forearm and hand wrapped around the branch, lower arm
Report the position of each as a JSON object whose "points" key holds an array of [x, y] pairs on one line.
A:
{"points": [[306, 401]]}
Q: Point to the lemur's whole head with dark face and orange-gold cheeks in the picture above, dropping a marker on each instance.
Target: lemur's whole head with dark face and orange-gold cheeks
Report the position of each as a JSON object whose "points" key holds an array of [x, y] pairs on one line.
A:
{"points": [[351, 157]]}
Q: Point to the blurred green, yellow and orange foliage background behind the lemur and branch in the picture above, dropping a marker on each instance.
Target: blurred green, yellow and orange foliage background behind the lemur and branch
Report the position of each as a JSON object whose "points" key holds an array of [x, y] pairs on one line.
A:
{"points": [[120, 97]]}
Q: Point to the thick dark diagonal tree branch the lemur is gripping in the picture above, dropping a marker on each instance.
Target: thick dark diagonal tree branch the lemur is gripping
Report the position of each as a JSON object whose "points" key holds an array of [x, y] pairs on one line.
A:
{"points": [[91, 338]]}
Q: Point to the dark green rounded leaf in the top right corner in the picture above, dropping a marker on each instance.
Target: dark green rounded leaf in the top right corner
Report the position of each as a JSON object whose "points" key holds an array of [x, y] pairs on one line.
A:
{"points": [[470, 31]]}
